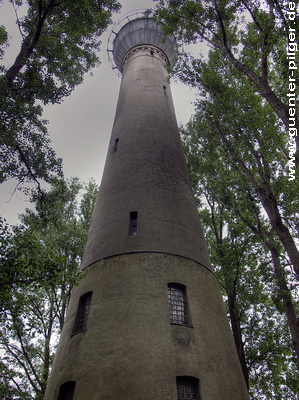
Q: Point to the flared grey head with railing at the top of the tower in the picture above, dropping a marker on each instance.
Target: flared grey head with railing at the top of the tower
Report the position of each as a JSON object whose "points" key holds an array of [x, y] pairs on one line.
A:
{"points": [[137, 29]]}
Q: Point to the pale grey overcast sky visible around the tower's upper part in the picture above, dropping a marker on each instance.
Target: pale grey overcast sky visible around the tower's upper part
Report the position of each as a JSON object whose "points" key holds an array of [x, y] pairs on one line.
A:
{"points": [[80, 127]]}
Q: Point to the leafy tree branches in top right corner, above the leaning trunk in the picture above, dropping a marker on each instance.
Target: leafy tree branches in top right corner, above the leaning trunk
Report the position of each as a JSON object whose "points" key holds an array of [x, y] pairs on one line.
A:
{"points": [[252, 35]]}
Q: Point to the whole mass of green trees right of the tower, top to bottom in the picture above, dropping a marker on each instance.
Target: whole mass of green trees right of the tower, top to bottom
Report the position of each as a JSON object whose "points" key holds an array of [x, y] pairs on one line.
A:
{"points": [[237, 151]]}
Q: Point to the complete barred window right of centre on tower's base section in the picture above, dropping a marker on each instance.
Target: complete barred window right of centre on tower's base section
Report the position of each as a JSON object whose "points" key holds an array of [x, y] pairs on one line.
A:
{"points": [[177, 304]]}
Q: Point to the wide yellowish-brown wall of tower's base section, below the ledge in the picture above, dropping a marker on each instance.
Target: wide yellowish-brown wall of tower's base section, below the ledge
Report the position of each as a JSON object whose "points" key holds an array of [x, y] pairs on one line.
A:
{"points": [[130, 351]]}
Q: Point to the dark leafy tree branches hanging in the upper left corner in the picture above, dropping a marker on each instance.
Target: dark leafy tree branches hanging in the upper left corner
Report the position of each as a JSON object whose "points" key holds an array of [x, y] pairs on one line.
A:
{"points": [[60, 41]]}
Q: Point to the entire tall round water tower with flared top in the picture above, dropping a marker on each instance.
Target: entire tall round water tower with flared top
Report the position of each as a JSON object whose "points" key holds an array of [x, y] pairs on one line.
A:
{"points": [[147, 320]]}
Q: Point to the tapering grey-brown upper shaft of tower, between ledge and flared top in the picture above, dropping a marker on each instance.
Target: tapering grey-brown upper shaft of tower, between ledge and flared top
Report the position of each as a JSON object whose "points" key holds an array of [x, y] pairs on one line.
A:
{"points": [[146, 174]]}
